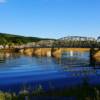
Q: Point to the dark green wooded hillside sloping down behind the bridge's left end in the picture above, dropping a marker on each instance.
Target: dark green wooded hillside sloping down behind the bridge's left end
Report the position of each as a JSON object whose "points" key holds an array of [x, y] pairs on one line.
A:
{"points": [[16, 39]]}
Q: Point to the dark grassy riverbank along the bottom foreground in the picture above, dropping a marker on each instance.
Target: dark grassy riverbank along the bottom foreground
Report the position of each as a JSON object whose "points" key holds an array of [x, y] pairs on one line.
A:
{"points": [[84, 92]]}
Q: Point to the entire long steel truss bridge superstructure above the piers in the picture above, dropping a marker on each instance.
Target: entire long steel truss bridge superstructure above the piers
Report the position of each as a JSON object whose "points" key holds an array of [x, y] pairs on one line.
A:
{"points": [[66, 42]]}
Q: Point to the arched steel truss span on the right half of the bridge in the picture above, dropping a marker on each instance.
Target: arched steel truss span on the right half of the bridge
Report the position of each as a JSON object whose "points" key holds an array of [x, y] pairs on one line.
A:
{"points": [[77, 42]]}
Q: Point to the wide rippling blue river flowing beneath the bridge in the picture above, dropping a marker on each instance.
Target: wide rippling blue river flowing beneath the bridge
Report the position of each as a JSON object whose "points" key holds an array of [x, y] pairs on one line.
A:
{"points": [[19, 72]]}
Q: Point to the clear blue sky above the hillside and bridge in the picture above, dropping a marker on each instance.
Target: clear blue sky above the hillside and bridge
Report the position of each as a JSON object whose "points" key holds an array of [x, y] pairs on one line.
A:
{"points": [[50, 18]]}
